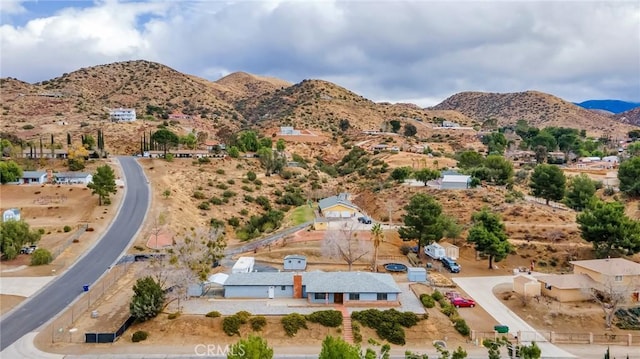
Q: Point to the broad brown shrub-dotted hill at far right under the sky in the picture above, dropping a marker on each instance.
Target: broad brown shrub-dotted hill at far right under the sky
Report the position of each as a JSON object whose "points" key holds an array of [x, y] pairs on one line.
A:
{"points": [[538, 108]]}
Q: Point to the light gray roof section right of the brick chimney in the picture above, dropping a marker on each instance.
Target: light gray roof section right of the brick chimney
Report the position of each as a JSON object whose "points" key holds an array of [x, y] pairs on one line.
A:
{"points": [[349, 282]]}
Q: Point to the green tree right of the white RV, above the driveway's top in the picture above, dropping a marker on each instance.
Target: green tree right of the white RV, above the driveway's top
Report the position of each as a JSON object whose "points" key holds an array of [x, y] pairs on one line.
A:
{"points": [[488, 235]]}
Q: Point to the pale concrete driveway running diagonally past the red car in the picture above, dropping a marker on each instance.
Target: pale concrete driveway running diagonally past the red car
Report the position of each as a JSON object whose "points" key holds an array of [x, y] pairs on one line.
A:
{"points": [[481, 290]]}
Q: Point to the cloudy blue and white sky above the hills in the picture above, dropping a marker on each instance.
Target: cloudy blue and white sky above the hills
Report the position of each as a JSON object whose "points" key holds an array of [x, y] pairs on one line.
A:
{"points": [[415, 51]]}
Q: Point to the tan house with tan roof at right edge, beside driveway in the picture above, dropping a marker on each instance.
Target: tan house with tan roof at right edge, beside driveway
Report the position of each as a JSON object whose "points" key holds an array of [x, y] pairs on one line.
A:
{"points": [[598, 274]]}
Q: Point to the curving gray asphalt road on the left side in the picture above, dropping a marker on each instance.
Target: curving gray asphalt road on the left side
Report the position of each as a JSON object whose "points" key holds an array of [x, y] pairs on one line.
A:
{"points": [[62, 291]]}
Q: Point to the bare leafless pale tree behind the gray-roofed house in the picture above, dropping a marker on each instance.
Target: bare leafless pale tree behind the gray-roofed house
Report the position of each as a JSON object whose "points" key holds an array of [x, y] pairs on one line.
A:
{"points": [[344, 244]]}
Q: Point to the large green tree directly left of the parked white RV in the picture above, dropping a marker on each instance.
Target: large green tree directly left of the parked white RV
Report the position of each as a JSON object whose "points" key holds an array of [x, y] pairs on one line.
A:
{"points": [[423, 220]]}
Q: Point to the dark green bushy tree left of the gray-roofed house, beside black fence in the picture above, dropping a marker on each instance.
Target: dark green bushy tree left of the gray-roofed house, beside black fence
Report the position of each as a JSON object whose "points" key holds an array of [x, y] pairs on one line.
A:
{"points": [[148, 299]]}
